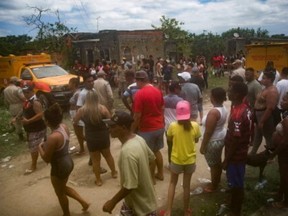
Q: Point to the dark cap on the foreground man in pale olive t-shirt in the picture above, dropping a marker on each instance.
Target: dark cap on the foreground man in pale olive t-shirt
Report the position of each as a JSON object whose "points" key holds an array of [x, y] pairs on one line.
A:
{"points": [[120, 118]]}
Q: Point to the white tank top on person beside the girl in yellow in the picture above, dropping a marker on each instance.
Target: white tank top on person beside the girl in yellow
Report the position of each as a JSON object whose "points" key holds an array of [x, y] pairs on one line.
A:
{"points": [[220, 131]]}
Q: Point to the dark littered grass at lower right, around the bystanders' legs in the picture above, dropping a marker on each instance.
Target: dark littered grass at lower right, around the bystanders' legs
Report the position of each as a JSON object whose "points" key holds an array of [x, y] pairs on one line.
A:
{"points": [[207, 204]]}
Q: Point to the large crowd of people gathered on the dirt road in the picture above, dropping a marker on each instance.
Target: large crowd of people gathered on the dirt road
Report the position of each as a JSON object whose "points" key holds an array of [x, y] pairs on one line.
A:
{"points": [[158, 106]]}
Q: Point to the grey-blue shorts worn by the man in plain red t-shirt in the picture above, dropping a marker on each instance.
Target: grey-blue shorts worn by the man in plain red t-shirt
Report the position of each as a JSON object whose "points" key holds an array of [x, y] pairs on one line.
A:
{"points": [[154, 139]]}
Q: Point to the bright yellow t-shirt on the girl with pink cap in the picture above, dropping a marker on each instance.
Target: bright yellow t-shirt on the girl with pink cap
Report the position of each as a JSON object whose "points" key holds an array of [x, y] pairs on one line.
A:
{"points": [[183, 148]]}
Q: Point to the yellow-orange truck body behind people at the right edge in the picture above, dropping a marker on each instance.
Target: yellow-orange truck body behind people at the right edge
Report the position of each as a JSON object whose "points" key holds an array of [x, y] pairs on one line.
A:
{"points": [[257, 55]]}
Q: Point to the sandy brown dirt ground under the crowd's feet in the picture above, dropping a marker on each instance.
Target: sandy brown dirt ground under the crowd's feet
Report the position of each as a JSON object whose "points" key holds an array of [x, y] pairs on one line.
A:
{"points": [[34, 195]]}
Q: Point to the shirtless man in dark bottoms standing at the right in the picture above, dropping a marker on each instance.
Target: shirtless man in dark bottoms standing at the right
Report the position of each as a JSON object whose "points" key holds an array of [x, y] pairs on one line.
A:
{"points": [[266, 102]]}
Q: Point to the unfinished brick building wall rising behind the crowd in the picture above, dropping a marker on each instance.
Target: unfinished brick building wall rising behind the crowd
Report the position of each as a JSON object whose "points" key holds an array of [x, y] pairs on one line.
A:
{"points": [[113, 44]]}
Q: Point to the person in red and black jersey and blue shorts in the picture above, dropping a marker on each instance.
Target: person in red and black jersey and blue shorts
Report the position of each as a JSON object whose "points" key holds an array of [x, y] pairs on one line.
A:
{"points": [[237, 141]]}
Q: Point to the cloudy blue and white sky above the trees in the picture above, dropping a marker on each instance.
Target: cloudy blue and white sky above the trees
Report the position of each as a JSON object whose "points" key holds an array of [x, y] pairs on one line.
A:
{"points": [[214, 16]]}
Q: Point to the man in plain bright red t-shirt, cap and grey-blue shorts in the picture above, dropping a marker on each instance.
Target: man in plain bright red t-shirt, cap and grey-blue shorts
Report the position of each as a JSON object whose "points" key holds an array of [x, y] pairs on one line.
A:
{"points": [[148, 109]]}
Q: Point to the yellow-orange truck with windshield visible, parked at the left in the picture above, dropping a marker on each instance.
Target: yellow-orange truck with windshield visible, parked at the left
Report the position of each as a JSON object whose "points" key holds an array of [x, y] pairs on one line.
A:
{"points": [[50, 81]]}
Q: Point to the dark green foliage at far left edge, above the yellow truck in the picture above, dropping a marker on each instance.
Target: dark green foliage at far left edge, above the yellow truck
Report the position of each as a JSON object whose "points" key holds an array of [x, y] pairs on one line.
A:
{"points": [[15, 45]]}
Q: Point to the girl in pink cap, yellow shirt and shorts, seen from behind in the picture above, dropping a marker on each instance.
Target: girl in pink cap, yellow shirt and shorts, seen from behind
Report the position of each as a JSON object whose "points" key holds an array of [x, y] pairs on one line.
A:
{"points": [[185, 134]]}
